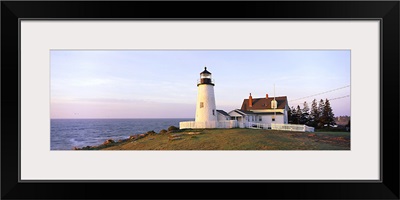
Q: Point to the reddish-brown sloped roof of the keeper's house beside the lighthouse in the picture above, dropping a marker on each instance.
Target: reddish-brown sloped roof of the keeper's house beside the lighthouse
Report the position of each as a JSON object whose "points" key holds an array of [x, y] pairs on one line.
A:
{"points": [[264, 103]]}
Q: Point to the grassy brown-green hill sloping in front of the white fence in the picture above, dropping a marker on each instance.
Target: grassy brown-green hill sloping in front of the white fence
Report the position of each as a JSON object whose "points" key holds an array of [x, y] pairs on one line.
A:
{"points": [[232, 139]]}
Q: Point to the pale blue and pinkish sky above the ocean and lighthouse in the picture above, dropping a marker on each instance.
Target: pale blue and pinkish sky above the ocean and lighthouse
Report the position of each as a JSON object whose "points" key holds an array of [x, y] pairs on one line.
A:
{"points": [[163, 83]]}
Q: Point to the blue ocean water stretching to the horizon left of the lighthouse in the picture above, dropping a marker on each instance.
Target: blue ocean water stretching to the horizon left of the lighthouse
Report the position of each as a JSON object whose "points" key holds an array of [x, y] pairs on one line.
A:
{"points": [[69, 133]]}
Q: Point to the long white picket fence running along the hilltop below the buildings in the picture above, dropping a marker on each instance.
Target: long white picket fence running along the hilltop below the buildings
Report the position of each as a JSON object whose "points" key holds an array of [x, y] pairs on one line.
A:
{"points": [[236, 124]]}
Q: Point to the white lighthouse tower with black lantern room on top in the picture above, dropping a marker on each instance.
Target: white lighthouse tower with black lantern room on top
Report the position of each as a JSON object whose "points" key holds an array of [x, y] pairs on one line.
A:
{"points": [[205, 106]]}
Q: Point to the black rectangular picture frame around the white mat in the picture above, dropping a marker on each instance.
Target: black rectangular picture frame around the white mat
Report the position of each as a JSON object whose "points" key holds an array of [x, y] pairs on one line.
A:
{"points": [[386, 11]]}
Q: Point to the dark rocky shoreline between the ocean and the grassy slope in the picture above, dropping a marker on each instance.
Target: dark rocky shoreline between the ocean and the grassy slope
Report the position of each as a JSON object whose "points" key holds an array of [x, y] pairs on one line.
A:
{"points": [[110, 142]]}
